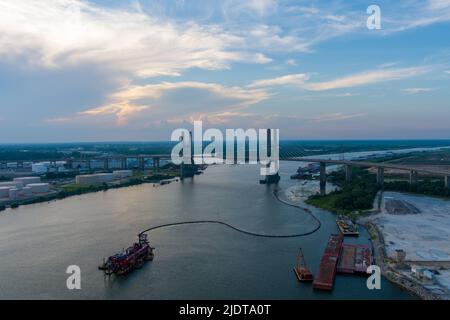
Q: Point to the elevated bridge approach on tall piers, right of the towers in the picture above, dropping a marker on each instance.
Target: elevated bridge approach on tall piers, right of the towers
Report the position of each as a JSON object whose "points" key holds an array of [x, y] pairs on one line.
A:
{"points": [[380, 166]]}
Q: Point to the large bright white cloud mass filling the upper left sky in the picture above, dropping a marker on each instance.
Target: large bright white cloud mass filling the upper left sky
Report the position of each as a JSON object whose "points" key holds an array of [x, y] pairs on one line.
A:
{"points": [[70, 32]]}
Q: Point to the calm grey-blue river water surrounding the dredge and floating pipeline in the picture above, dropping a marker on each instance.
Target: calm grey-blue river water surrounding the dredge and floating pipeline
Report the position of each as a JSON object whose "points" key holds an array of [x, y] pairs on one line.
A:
{"points": [[38, 242]]}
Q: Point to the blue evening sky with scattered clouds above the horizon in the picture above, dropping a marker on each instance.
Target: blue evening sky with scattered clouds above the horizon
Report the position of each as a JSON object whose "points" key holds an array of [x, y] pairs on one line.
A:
{"points": [[110, 70]]}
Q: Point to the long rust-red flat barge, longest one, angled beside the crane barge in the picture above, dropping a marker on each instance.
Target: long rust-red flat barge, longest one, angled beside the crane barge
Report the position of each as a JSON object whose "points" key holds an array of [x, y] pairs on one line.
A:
{"points": [[327, 268]]}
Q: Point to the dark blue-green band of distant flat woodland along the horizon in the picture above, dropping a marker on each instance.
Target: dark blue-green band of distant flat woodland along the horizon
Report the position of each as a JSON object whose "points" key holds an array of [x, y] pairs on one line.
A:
{"points": [[287, 148]]}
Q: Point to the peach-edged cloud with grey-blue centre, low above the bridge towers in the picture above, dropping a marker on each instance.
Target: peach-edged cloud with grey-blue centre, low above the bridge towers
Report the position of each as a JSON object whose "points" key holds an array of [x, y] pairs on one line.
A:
{"points": [[170, 102]]}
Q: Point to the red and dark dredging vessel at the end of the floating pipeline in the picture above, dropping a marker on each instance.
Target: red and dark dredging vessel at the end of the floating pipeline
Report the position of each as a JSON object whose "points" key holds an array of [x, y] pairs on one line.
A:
{"points": [[131, 258]]}
